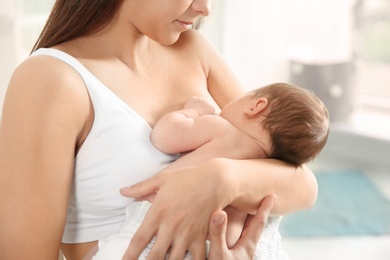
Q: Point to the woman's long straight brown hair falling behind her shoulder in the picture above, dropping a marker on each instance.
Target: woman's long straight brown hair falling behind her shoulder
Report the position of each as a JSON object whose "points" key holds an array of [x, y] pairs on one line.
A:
{"points": [[70, 19]]}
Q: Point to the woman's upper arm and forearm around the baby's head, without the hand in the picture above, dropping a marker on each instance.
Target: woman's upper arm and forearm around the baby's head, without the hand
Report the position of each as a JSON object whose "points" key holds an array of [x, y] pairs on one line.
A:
{"points": [[296, 188]]}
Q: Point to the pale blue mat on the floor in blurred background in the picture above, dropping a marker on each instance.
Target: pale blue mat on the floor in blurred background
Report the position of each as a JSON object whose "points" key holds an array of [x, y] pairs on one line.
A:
{"points": [[348, 203]]}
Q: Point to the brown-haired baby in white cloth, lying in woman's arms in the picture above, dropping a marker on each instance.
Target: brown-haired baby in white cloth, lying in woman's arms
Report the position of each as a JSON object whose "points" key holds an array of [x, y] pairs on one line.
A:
{"points": [[278, 121]]}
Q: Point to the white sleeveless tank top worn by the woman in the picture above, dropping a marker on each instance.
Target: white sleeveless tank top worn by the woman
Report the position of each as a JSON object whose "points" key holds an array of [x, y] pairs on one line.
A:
{"points": [[116, 153]]}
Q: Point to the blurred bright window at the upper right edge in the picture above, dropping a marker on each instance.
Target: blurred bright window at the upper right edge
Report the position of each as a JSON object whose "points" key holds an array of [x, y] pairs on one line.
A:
{"points": [[373, 52]]}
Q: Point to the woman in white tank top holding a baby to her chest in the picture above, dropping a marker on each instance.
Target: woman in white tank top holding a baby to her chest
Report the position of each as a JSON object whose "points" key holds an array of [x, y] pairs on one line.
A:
{"points": [[76, 123]]}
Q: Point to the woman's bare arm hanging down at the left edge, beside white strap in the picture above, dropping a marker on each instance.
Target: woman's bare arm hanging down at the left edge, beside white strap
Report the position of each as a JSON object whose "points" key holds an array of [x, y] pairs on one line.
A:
{"points": [[43, 117]]}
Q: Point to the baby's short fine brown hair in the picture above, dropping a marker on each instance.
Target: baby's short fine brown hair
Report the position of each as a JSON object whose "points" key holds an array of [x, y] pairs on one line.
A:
{"points": [[298, 122]]}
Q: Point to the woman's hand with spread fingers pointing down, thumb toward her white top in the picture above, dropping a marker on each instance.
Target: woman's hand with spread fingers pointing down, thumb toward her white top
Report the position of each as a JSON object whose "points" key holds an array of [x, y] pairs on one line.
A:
{"points": [[180, 213]]}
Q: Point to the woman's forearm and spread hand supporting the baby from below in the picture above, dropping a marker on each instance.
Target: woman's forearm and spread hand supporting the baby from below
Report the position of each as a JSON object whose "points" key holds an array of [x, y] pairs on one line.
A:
{"points": [[187, 197]]}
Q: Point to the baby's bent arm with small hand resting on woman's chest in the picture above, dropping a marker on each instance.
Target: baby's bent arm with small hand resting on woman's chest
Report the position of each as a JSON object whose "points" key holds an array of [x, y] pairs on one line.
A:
{"points": [[181, 130]]}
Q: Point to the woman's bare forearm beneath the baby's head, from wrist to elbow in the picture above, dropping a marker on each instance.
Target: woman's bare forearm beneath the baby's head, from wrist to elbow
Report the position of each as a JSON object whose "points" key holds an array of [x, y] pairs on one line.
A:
{"points": [[253, 180]]}
